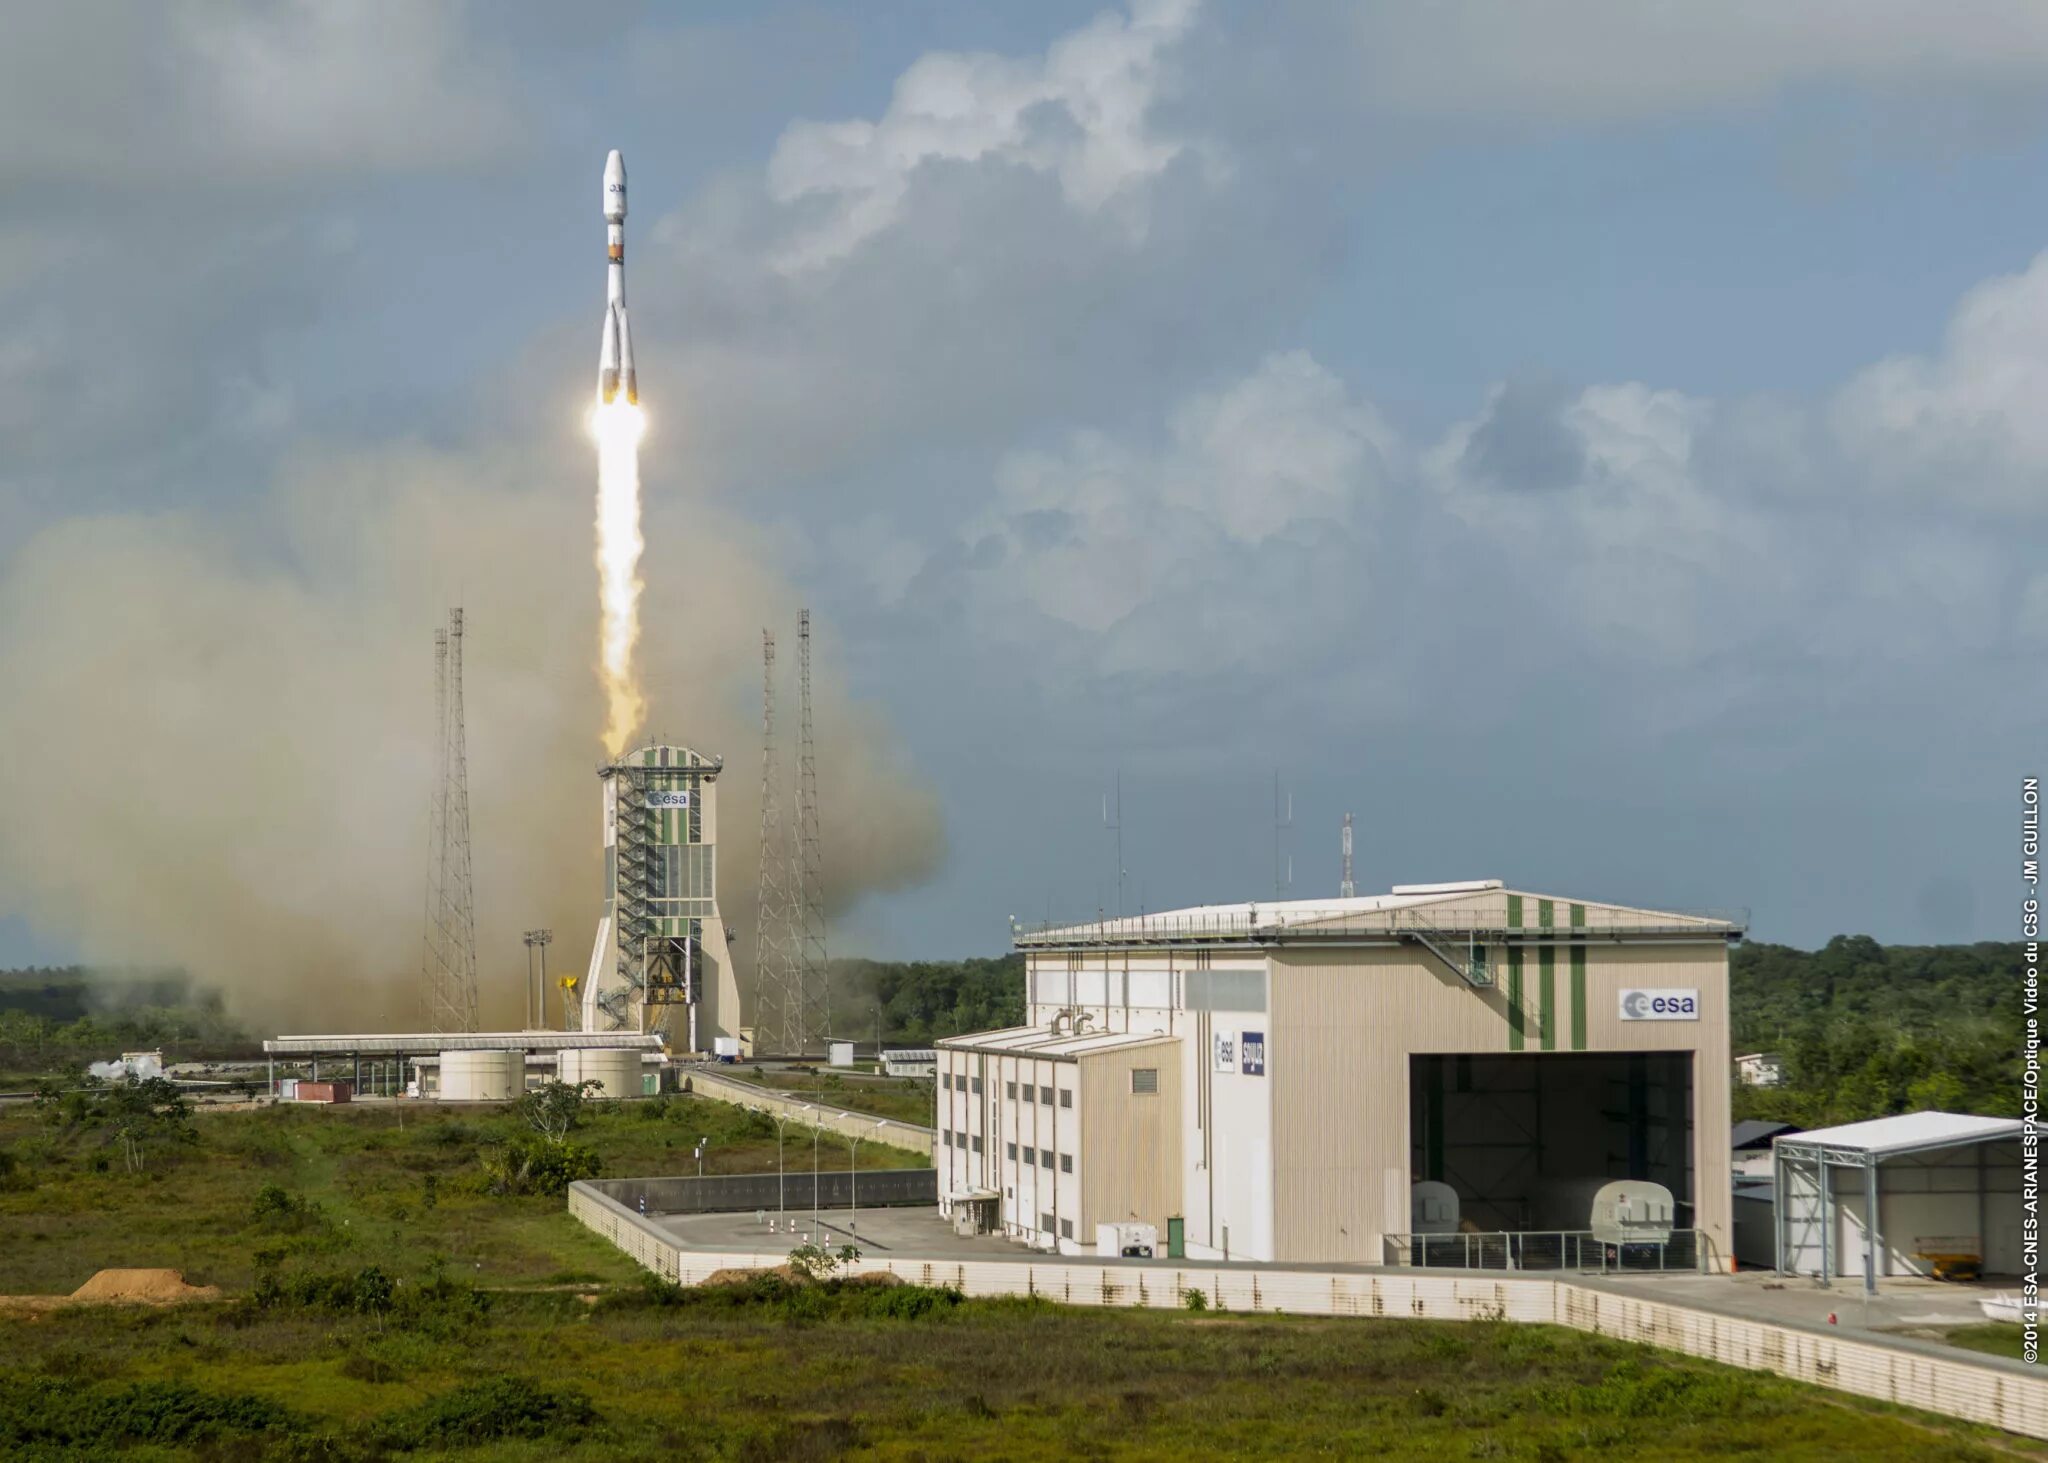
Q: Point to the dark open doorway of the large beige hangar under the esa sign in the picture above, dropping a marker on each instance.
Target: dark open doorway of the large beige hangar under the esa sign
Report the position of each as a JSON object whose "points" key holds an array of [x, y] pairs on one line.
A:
{"points": [[1529, 1140]]}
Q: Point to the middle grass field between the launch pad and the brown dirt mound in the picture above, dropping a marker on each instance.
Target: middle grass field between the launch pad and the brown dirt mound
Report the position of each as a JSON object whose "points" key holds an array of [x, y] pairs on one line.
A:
{"points": [[411, 1189]]}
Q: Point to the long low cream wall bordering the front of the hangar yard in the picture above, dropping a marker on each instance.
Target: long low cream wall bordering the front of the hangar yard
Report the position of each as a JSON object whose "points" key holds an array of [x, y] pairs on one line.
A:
{"points": [[1990, 1390]]}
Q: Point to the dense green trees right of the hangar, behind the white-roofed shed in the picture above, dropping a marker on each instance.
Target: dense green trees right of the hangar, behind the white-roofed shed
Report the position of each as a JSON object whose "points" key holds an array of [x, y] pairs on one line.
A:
{"points": [[1871, 1030]]}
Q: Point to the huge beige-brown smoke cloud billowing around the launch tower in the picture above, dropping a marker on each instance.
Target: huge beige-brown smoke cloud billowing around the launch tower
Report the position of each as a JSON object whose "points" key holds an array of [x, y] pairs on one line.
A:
{"points": [[220, 726]]}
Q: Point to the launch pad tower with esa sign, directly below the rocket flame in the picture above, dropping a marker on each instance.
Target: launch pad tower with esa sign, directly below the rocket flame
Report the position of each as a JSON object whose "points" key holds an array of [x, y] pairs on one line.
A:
{"points": [[660, 960]]}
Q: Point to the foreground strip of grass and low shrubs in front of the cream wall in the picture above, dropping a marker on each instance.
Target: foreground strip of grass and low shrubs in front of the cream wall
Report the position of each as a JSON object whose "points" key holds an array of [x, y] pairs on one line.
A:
{"points": [[771, 1370]]}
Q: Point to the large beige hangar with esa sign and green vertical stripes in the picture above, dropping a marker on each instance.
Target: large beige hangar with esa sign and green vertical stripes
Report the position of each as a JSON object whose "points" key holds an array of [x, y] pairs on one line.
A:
{"points": [[1275, 1081]]}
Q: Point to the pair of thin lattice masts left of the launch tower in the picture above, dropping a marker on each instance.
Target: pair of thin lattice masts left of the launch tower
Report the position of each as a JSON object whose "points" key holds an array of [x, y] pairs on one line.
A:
{"points": [[450, 974]]}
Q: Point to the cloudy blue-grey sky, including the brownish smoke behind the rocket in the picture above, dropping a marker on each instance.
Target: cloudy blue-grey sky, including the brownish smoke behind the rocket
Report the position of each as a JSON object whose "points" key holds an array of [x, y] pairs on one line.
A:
{"points": [[1598, 446]]}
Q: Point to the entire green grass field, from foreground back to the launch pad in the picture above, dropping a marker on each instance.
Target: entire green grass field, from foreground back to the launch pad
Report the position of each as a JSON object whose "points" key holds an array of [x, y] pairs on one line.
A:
{"points": [[384, 1304]]}
